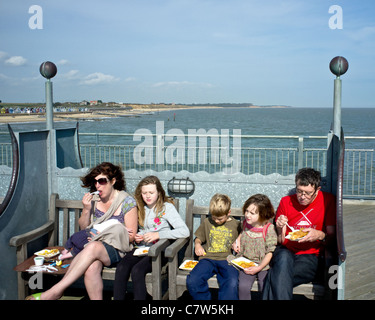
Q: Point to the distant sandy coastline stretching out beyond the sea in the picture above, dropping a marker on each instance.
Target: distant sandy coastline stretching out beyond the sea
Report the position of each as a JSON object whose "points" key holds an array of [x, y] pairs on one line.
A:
{"points": [[110, 111]]}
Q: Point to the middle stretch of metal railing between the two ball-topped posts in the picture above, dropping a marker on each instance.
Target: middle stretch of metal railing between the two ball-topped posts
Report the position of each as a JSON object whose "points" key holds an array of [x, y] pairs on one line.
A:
{"points": [[233, 153]]}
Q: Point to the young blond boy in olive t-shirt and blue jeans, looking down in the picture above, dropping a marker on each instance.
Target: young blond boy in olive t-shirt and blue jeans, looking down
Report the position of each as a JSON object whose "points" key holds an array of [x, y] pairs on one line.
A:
{"points": [[213, 243]]}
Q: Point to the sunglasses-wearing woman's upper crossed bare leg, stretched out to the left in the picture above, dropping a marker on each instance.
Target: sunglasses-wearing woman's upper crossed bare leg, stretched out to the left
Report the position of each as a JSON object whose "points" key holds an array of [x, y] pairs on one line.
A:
{"points": [[92, 252]]}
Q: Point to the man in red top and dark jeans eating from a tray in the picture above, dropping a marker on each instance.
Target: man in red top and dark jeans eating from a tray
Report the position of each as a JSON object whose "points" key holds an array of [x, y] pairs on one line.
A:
{"points": [[295, 261]]}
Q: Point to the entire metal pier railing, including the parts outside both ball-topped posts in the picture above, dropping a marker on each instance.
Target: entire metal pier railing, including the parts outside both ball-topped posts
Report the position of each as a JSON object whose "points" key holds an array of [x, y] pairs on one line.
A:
{"points": [[247, 154]]}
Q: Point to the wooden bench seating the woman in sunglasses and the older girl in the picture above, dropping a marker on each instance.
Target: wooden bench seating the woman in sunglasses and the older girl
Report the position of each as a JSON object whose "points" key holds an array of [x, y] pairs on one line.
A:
{"points": [[55, 232]]}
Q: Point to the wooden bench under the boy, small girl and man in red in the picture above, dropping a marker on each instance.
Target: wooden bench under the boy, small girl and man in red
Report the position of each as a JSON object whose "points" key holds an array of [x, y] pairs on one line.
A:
{"points": [[177, 277]]}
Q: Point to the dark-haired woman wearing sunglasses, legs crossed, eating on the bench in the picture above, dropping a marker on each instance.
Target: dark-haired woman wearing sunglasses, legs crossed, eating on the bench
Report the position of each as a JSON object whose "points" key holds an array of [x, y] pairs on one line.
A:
{"points": [[107, 247]]}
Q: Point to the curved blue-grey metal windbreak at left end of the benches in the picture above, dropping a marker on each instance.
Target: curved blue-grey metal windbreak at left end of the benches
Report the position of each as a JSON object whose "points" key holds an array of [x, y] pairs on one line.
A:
{"points": [[36, 155]]}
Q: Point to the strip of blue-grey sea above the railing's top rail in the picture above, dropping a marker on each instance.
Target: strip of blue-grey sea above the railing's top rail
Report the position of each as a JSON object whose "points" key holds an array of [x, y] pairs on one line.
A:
{"points": [[251, 121]]}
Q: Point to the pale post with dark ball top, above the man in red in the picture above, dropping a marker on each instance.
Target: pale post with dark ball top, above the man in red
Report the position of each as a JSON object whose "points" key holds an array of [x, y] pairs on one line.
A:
{"points": [[338, 66]]}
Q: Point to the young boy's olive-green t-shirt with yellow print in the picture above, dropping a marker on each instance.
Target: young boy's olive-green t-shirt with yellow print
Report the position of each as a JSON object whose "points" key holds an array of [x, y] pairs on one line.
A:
{"points": [[217, 240]]}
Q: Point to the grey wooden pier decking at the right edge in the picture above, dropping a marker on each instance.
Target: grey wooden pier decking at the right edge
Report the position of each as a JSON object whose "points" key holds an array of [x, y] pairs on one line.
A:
{"points": [[359, 226]]}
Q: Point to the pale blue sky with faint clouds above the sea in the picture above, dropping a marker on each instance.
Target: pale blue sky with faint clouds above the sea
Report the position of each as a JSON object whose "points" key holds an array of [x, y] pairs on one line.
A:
{"points": [[270, 52]]}
